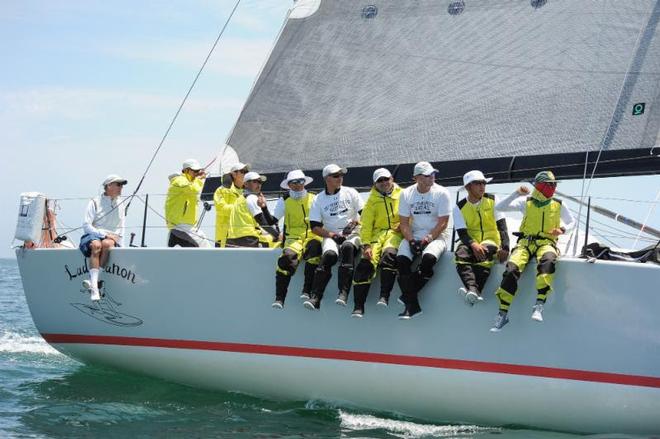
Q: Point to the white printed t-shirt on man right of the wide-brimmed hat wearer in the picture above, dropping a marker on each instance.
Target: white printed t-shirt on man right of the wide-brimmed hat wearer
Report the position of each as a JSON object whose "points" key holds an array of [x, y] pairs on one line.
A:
{"points": [[337, 210]]}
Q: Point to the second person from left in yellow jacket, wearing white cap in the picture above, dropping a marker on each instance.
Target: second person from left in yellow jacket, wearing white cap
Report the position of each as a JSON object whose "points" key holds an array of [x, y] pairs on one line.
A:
{"points": [[225, 199]]}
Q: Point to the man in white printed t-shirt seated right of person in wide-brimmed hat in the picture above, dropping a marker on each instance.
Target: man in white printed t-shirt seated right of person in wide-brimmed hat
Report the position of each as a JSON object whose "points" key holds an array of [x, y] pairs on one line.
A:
{"points": [[335, 216]]}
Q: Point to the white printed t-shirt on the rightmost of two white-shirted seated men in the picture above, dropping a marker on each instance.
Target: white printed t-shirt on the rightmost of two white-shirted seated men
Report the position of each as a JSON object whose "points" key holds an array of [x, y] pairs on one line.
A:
{"points": [[424, 209]]}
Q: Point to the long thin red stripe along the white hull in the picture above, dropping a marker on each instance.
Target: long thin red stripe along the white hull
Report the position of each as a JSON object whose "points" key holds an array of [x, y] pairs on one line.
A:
{"points": [[367, 357]]}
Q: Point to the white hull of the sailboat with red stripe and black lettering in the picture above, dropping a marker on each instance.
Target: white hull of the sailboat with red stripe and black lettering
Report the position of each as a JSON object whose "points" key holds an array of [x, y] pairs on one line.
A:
{"points": [[592, 366]]}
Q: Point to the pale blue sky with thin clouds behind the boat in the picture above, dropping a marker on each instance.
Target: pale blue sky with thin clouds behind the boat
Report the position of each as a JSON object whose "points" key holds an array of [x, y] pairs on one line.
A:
{"points": [[88, 88]]}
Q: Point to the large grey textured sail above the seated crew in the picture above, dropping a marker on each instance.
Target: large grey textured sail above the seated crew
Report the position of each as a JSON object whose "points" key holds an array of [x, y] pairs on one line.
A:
{"points": [[501, 79]]}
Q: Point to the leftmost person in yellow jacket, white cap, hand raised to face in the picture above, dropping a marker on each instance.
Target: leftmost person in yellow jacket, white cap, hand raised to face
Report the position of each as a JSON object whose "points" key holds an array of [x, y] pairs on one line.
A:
{"points": [[181, 206]]}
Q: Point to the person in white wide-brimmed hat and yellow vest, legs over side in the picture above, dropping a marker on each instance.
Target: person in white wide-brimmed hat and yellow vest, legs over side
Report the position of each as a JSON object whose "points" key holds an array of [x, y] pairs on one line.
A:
{"points": [[299, 240]]}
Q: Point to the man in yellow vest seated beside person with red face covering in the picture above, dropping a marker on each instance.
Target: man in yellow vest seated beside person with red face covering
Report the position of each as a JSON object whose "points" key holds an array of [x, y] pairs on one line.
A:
{"points": [[483, 235]]}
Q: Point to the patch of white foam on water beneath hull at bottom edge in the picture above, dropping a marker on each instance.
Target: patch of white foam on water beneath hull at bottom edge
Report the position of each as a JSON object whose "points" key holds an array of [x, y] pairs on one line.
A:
{"points": [[407, 429]]}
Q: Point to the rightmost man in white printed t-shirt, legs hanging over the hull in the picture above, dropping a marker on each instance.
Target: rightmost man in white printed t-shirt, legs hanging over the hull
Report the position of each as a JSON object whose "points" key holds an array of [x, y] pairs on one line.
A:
{"points": [[424, 210]]}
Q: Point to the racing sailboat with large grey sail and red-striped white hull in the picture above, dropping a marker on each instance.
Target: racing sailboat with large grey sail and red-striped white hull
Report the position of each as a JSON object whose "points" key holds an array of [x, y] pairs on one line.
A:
{"points": [[510, 87]]}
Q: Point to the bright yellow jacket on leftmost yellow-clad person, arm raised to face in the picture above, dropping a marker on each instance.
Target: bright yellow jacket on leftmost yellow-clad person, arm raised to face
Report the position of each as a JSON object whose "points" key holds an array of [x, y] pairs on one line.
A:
{"points": [[181, 201]]}
